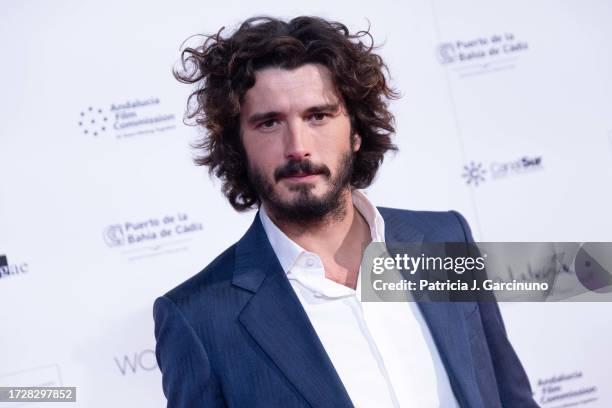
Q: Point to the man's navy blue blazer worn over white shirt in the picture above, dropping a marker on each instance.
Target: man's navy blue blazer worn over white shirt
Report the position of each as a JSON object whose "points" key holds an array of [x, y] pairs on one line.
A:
{"points": [[236, 334]]}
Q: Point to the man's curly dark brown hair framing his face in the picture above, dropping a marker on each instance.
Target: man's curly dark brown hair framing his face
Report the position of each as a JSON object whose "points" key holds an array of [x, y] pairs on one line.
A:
{"points": [[223, 69]]}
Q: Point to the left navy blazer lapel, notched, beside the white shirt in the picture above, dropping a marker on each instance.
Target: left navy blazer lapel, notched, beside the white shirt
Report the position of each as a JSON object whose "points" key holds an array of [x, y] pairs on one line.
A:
{"points": [[277, 322]]}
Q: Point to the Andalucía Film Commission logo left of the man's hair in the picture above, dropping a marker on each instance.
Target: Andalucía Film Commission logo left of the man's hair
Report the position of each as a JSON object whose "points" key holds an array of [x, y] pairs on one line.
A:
{"points": [[125, 119]]}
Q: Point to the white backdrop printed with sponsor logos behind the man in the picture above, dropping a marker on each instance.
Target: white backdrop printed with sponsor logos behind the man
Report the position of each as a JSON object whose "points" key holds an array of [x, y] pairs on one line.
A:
{"points": [[506, 116]]}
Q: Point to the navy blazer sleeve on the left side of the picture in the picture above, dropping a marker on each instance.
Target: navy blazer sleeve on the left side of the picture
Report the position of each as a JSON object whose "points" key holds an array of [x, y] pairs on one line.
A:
{"points": [[187, 377]]}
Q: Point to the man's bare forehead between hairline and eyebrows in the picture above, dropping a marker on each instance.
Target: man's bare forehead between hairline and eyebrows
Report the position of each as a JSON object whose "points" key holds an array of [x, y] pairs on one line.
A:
{"points": [[299, 88]]}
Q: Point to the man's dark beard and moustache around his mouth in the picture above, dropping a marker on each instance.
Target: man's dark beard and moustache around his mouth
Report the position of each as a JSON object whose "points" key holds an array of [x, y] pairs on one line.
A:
{"points": [[305, 209]]}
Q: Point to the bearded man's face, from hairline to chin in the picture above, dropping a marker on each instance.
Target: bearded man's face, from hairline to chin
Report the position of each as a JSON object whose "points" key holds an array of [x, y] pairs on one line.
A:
{"points": [[297, 137]]}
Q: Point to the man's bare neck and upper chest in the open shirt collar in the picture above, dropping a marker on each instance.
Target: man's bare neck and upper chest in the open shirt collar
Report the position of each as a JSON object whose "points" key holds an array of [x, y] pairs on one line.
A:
{"points": [[338, 240]]}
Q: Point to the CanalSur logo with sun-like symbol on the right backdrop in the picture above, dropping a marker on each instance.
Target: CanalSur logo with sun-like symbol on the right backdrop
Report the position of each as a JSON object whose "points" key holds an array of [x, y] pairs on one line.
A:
{"points": [[475, 173]]}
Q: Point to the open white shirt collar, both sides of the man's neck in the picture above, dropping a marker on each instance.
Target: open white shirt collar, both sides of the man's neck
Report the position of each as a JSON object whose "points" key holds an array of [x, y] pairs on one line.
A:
{"points": [[287, 251]]}
